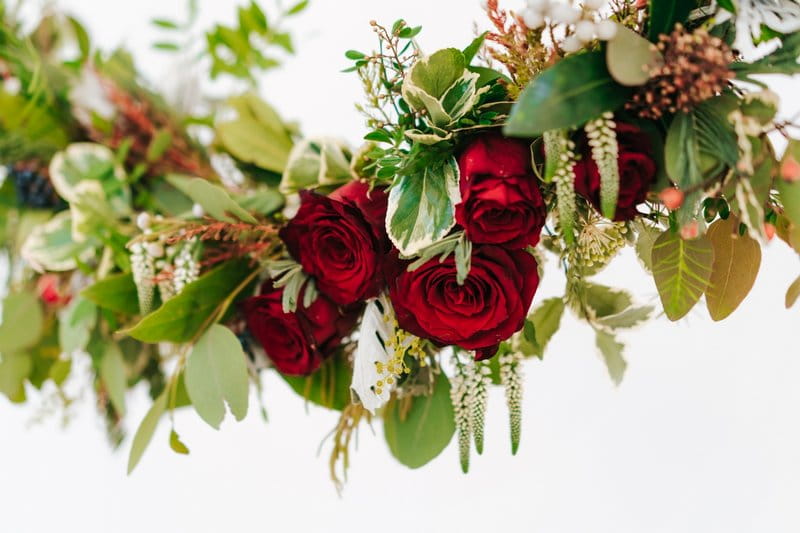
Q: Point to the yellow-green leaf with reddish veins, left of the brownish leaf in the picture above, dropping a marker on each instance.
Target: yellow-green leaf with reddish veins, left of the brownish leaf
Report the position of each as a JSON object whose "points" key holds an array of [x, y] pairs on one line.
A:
{"points": [[682, 271]]}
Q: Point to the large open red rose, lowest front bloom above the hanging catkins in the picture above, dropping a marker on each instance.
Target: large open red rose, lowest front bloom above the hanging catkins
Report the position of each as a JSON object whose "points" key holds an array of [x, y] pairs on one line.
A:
{"points": [[487, 309]]}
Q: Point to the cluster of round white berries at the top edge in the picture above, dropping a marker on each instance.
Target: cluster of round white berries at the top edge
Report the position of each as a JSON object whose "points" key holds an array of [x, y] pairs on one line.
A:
{"points": [[581, 20]]}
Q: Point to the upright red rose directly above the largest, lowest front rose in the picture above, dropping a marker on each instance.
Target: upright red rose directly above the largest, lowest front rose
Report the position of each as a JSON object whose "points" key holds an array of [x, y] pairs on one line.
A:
{"points": [[500, 200]]}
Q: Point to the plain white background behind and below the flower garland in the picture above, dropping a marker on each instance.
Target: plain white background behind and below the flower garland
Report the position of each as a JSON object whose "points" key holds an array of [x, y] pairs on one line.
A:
{"points": [[703, 435]]}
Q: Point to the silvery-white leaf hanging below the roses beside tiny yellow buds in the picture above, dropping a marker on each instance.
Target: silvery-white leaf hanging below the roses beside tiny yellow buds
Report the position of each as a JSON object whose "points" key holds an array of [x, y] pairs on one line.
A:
{"points": [[373, 336]]}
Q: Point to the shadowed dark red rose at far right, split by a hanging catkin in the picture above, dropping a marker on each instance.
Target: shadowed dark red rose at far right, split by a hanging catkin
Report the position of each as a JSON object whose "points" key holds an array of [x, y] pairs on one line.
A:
{"points": [[637, 171]]}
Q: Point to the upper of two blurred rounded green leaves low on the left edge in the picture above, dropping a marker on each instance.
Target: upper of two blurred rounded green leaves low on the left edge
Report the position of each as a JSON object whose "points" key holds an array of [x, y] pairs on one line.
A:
{"points": [[22, 322]]}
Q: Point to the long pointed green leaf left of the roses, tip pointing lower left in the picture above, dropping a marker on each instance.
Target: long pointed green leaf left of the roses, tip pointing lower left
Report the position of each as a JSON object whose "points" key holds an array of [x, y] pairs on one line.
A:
{"points": [[180, 318]]}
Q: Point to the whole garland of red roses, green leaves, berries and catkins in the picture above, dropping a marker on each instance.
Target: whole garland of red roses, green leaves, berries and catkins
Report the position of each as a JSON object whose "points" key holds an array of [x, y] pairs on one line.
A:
{"points": [[397, 280]]}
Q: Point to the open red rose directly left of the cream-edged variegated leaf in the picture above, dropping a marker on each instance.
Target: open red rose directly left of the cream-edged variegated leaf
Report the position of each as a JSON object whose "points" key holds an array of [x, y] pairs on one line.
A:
{"points": [[334, 243]]}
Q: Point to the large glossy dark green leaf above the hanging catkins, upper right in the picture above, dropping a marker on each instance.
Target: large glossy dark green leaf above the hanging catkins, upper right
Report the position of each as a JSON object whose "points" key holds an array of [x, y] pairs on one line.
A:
{"points": [[575, 90]]}
